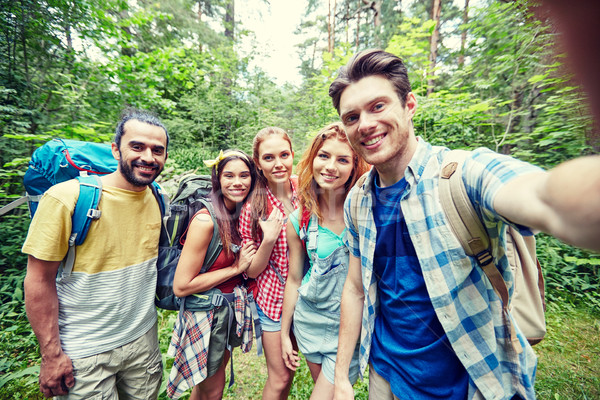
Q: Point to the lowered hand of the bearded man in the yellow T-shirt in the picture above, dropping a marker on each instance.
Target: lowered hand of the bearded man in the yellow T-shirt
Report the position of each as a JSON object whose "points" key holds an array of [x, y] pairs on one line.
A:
{"points": [[56, 375]]}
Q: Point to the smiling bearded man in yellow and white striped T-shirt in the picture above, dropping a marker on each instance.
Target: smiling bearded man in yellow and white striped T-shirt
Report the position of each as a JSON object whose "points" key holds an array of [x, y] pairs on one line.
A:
{"points": [[97, 327]]}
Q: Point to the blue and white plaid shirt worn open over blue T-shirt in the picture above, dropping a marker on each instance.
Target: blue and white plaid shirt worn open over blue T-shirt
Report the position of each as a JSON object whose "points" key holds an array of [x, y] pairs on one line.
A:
{"points": [[466, 305]]}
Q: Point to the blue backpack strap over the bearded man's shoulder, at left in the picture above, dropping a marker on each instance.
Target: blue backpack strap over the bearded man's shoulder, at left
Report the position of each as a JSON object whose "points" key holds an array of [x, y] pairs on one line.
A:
{"points": [[86, 210]]}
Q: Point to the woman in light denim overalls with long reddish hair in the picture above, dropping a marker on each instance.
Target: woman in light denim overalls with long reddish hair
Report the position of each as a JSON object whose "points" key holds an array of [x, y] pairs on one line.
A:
{"points": [[315, 235]]}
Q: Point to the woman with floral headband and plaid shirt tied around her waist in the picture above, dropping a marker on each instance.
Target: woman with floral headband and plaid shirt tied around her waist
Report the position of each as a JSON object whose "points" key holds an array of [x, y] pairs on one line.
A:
{"points": [[201, 351]]}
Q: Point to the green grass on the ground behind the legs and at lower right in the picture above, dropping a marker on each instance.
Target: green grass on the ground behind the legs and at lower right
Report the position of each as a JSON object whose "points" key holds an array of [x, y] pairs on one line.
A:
{"points": [[568, 362]]}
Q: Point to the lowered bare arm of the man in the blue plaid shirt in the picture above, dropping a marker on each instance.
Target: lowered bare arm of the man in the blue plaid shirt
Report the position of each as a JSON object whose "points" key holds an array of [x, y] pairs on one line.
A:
{"points": [[350, 324]]}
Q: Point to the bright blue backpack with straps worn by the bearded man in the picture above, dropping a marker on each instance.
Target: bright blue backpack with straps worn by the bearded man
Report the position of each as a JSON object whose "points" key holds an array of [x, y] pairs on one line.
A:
{"points": [[60, 160]]}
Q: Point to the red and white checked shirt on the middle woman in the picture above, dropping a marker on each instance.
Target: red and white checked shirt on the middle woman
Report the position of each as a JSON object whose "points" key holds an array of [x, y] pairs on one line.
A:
{"points": [[270, 288]]}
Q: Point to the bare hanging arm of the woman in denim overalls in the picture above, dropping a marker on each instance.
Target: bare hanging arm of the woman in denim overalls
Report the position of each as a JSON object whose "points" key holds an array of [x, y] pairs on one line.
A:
{"points": [[290, 296]]}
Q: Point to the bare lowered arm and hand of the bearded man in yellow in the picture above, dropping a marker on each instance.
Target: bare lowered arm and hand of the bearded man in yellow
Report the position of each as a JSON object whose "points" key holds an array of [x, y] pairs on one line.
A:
{"points": [[41, 304]]}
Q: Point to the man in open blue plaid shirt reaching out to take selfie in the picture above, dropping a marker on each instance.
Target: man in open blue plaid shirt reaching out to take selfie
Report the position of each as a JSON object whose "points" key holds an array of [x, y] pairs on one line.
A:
{"points": [[429, 322]]}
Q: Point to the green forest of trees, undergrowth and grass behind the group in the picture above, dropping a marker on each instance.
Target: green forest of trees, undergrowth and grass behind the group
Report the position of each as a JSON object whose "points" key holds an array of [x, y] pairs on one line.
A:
{"points": [[489, 73]]}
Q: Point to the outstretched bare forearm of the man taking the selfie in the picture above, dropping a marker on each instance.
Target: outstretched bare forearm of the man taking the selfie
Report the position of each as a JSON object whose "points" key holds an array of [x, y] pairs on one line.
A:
{"points": [[563, 202]]}
